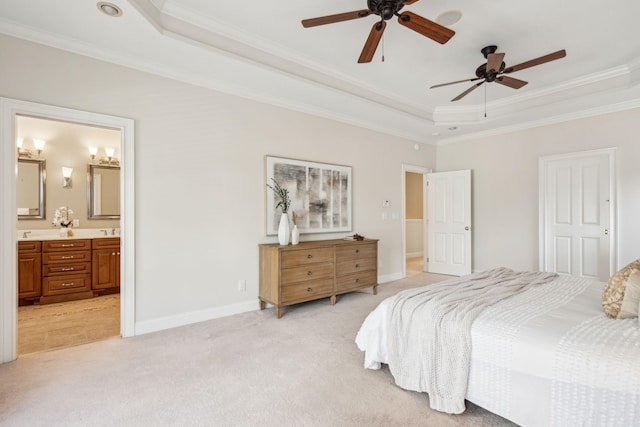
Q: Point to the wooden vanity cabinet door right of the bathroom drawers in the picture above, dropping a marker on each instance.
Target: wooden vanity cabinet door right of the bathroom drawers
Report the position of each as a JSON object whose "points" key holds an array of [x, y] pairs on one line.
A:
{"points": [[105, 256]]}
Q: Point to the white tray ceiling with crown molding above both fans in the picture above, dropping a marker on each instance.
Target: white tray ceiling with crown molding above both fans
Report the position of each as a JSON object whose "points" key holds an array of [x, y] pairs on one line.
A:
{"points": [[258, 49]]}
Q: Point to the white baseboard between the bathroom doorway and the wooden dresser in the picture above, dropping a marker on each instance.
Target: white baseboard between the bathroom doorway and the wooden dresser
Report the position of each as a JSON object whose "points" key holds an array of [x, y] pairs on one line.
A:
{"points": [[155, 325]]}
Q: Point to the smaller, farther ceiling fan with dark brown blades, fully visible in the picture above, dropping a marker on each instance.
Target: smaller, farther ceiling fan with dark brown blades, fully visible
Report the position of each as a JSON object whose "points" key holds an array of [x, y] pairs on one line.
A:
{"points": [[494, 70]]}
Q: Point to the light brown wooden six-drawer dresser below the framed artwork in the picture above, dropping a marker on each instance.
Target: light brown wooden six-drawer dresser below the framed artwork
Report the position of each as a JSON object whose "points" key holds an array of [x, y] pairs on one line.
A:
{"points": [[313, 270]]}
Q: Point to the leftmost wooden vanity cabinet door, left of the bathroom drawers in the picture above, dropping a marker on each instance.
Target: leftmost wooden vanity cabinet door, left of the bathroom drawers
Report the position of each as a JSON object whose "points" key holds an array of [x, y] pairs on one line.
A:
{"points": [[29, 272]]}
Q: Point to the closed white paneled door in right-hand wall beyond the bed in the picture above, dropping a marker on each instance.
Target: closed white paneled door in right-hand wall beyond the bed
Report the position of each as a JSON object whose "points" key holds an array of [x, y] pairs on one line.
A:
{"points": [[577, 199]]}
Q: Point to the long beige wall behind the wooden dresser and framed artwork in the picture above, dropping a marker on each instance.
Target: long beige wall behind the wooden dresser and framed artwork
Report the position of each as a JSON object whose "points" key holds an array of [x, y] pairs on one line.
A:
{"points": [[199, 168]]}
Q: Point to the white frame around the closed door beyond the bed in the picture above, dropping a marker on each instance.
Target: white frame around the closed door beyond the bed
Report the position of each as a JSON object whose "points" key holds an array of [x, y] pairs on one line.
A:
{"points": [[542, 203]]}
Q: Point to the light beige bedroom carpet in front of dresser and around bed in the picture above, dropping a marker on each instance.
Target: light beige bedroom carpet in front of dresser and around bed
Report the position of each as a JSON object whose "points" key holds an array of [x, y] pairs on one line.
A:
{"points": [[244, 370]]}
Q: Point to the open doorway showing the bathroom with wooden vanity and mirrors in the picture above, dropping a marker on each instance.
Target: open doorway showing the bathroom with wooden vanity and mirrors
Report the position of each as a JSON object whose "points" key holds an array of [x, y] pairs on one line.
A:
{"points": [[68, 287]]}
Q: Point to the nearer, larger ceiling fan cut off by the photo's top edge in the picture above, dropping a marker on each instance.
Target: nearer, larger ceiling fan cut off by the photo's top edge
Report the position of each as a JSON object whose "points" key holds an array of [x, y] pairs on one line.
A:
{"points": [[386, 9]]}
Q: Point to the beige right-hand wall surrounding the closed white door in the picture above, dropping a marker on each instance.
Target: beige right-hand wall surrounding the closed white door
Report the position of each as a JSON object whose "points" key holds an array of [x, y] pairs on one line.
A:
{"points": [[505, 184]]}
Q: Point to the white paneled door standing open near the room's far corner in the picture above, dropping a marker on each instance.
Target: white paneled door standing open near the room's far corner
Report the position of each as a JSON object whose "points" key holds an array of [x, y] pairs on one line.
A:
{"points": [[449, 222]]}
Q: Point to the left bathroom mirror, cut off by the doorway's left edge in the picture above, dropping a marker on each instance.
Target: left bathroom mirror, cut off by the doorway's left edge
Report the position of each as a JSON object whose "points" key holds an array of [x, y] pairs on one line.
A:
{"points": [[30, 188]]}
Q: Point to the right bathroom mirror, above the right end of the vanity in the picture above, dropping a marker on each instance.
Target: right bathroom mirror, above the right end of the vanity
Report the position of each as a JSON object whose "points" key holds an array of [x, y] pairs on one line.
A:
{"points": [[103, 192]]}
